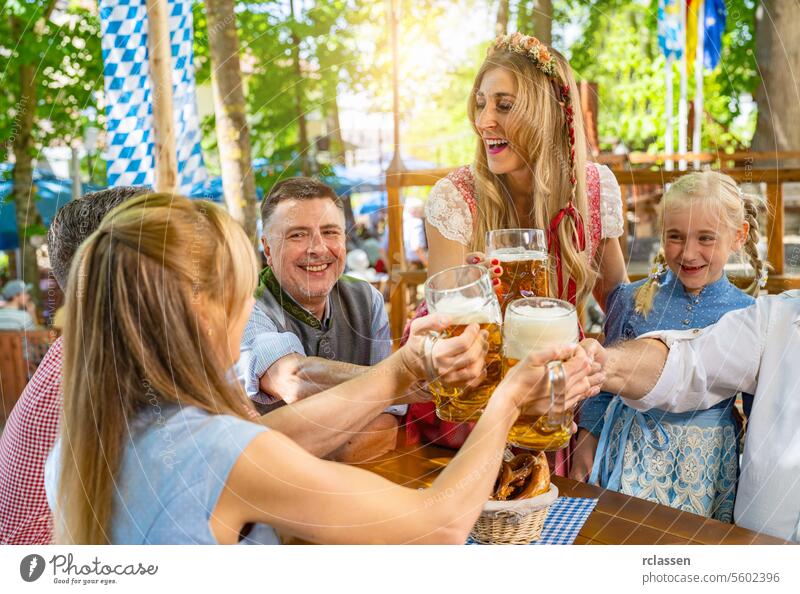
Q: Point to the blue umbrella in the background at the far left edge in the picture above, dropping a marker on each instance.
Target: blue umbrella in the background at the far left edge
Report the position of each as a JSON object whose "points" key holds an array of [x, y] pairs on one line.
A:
{"points": [[51, 194]]}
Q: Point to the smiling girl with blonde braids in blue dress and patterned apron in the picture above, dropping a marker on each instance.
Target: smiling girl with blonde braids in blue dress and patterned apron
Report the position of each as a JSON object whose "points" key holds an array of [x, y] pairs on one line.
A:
{"points": [[690, 460]]}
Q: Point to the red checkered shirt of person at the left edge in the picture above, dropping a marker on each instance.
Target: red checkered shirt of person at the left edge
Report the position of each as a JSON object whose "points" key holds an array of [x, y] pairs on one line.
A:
{"points": [[24, 445]]}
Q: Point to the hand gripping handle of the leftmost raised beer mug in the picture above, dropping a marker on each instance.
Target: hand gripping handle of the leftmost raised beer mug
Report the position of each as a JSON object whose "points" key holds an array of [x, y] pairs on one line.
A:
{"points": [[457, 361]]}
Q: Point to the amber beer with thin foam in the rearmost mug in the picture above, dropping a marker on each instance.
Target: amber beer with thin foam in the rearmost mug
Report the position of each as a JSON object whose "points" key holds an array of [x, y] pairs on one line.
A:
{"points": [[525, 274]]}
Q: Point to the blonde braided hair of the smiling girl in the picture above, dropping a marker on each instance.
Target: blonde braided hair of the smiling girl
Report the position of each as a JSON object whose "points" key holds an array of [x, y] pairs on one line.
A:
{"points": [[715, 190]]}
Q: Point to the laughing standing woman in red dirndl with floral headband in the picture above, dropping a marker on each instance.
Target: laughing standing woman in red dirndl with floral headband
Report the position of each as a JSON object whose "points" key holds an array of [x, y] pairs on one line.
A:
{"points": [[530, 170]]}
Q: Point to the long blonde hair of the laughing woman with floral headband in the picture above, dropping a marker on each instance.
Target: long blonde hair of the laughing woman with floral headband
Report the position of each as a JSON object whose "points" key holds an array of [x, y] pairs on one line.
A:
{"points": [[540, 137]]}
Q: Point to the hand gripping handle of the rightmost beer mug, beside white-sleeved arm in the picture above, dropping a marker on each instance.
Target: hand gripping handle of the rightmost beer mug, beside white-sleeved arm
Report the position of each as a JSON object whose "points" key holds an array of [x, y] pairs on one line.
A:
{"points": [[527, 382]]}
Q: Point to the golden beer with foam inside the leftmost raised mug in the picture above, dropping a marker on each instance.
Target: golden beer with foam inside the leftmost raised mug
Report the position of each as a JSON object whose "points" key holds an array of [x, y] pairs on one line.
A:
{"points": [[466, 404]]}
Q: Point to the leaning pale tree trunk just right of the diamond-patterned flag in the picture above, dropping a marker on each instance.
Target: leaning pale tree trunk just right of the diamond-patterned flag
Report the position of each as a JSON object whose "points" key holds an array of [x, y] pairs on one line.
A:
{"points": [[233, 133]]}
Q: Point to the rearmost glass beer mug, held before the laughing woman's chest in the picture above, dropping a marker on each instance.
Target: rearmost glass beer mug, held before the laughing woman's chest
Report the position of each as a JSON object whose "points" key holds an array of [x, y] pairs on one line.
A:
{"points": [[523, 256]]}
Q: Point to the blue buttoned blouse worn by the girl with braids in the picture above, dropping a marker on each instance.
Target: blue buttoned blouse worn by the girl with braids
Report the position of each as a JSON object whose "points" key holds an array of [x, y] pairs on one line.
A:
{"points": [[673, 309]]}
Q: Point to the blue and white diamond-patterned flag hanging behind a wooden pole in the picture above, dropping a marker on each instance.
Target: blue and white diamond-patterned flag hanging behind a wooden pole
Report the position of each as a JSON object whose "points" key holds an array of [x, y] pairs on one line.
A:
{"points": [[130, 149]]}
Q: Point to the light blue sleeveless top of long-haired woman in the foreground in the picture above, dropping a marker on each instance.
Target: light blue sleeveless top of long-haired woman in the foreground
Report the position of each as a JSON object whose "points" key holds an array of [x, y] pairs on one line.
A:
{"points": [[173, 471]]}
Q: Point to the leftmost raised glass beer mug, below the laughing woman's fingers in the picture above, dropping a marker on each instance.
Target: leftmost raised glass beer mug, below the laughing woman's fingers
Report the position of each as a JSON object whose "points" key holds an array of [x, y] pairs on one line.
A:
{"points": [[465, 295]]}
